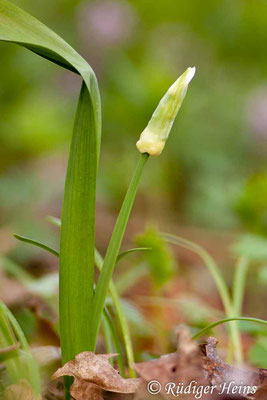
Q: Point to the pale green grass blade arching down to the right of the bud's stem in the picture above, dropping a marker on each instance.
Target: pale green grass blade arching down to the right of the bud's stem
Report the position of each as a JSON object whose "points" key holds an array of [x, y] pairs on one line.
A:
{"points": [[220, 284]]}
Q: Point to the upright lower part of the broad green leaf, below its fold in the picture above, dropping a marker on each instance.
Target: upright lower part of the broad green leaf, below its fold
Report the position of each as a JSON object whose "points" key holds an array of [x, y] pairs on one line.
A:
{"points": [[77, 239]]}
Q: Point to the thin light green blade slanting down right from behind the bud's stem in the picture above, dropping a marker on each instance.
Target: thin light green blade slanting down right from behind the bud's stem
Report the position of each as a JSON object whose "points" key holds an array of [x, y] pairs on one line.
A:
{"points": [[121, 317]]}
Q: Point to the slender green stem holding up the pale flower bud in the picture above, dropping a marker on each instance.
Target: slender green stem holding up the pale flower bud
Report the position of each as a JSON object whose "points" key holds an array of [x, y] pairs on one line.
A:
{"points": [[114, 247]]}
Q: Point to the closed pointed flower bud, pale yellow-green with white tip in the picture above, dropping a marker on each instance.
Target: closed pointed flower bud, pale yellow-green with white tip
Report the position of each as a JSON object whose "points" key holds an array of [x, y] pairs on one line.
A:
{"points": [[153, 138]]}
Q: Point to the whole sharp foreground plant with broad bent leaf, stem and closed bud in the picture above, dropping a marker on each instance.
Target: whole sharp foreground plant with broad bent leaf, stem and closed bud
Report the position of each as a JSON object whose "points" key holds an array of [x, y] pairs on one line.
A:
{"points": [[79, 326]]}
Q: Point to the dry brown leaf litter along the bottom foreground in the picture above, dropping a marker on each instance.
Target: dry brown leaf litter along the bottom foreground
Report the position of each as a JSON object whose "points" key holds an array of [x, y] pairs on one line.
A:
{"points": [[200, 365]]}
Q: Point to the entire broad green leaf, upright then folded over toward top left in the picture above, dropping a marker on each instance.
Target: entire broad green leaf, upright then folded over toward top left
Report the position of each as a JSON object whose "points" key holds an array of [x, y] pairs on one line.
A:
{"points": [[78, 212]]}
